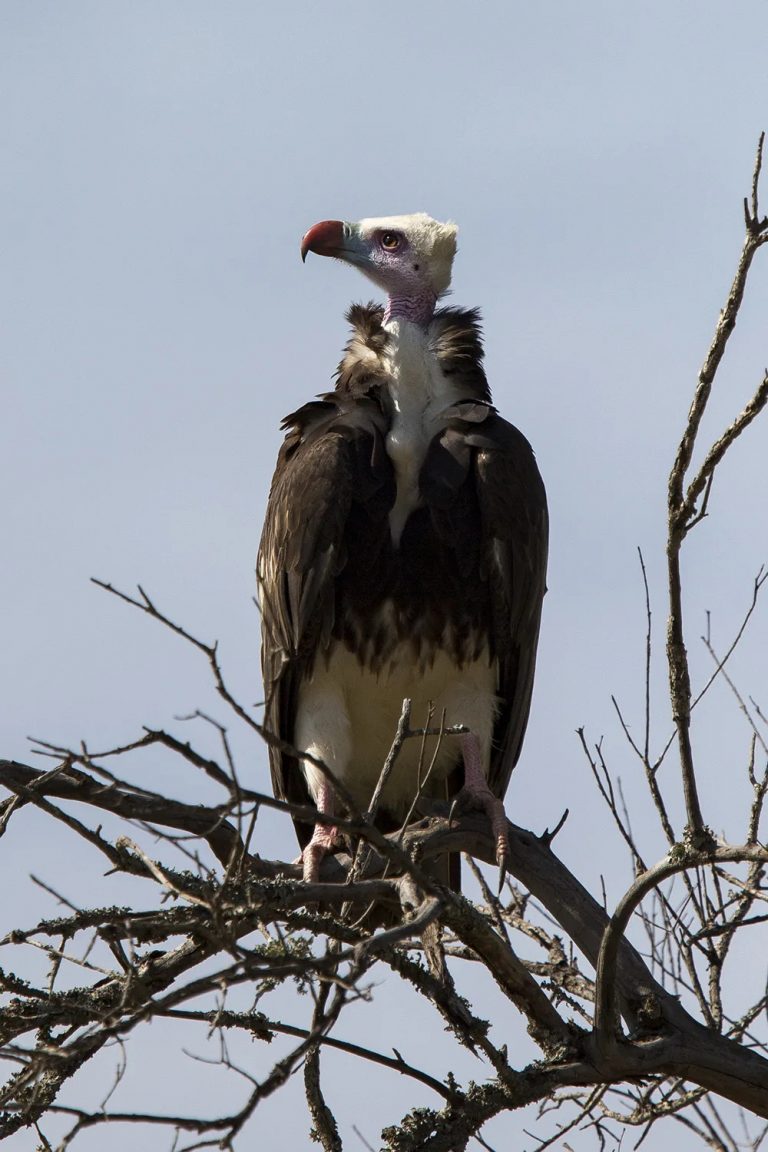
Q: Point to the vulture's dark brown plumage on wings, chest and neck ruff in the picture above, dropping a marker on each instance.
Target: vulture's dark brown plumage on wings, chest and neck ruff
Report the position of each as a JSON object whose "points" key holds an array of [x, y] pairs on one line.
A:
{"points": [[466, 580]]}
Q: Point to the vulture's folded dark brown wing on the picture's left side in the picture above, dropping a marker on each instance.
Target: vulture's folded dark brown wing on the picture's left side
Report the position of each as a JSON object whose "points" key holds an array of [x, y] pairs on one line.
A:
{"points": [[333, 458]]}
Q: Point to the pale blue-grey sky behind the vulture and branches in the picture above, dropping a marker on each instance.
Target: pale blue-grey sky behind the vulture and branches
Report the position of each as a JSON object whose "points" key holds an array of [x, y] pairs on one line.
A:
{"points": [[158, 166]]}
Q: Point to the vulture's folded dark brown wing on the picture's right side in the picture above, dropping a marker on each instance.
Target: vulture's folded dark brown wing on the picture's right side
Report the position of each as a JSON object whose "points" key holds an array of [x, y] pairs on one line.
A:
{"points": [[512, 536]]}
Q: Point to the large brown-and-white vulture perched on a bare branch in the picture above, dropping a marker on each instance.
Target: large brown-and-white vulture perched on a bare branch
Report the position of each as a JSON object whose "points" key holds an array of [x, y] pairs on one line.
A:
{"points": [[404, 555]]}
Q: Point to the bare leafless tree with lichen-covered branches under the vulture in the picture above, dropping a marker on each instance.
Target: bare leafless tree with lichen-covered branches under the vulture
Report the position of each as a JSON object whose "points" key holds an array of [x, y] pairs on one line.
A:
{"points": [[627, 1036]]}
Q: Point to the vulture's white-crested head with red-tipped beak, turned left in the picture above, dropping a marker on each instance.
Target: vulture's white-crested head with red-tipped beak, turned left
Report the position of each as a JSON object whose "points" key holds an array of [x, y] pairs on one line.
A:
{"points": [[409, 256]]}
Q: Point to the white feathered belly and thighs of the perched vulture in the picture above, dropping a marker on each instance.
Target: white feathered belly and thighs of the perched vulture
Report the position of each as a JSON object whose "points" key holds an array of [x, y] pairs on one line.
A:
{"points": [[348, 717]]}
